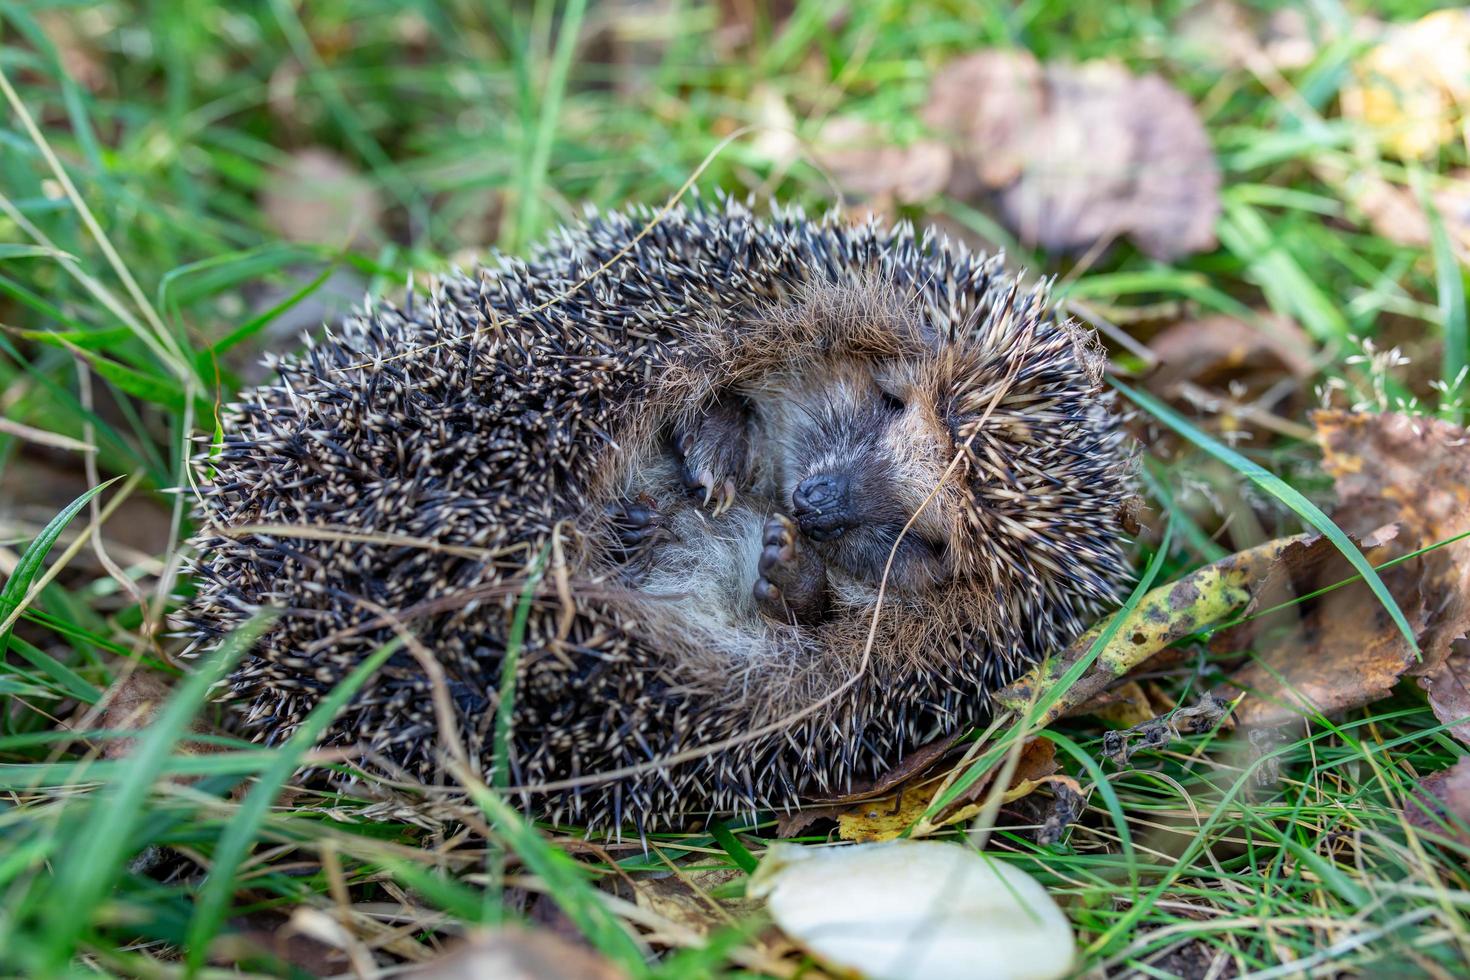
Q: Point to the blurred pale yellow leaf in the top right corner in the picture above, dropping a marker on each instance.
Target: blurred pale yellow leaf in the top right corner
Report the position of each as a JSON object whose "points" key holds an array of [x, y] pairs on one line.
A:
{"points": [[1413, 86]]}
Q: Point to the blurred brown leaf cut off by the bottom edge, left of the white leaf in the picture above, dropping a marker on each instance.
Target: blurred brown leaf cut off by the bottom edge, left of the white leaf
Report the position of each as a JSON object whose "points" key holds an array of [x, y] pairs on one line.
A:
{"points": [[518, 954]]}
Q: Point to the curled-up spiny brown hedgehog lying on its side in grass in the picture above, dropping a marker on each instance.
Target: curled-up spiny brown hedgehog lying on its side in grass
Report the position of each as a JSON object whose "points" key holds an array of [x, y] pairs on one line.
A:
{"points": [[777, 499]]}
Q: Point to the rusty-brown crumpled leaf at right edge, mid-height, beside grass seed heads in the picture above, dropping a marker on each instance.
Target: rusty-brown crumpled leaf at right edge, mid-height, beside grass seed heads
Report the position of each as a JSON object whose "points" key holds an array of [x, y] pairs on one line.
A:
{"points": [[1415, 472]]}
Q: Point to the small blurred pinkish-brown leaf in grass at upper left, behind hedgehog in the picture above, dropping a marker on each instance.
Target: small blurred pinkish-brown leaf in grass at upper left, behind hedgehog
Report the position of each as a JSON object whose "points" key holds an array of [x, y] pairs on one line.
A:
{"points": [[317, 198]]}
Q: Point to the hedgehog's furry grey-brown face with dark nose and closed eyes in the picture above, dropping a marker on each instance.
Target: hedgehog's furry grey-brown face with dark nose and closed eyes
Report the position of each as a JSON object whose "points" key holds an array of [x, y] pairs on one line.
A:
{"points": [[861, 450]]}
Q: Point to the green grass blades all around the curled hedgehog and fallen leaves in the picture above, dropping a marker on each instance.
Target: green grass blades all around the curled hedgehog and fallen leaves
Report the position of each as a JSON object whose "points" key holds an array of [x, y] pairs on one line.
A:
{"points": [[137, 148]]}
